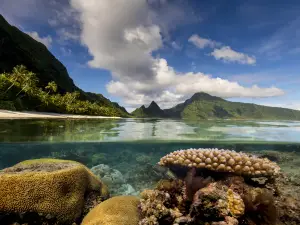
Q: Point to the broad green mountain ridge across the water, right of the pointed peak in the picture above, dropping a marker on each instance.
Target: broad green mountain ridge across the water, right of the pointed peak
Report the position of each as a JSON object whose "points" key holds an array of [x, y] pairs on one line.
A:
{"points": [[205, 106]]}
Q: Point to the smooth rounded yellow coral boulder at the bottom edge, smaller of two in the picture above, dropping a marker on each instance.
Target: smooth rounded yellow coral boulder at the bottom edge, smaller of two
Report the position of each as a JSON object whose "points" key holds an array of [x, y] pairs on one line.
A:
{"points": [[119, 210]]}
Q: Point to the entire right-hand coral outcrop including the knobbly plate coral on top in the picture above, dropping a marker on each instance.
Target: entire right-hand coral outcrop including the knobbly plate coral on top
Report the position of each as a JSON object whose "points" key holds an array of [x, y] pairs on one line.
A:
{"points": [[212, 196]]}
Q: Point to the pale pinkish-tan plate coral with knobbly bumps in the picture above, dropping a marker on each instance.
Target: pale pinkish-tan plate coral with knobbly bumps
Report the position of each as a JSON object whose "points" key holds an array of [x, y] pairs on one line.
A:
{"points": [[221, 160]]}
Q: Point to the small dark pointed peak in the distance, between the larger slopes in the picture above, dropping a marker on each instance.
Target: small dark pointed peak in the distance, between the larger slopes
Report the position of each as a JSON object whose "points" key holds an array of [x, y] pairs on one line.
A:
{"points": [[153, 111]]}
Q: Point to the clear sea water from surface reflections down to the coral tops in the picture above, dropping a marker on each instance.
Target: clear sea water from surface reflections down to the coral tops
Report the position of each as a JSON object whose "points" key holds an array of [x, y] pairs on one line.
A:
{"points": [[134, 146]]}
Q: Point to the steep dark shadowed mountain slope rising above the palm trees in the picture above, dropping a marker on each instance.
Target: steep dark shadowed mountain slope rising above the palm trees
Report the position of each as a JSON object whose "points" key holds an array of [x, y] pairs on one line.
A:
{"points": [[18, 48]]}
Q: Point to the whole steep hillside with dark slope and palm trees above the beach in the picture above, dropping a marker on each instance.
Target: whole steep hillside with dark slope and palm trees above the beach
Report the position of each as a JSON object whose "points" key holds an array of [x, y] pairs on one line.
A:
{"points": [[18, 48]]}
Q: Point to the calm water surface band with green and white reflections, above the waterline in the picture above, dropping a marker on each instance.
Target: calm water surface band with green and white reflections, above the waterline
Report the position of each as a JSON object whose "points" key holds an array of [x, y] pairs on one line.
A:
{"points": [[147, 129]]}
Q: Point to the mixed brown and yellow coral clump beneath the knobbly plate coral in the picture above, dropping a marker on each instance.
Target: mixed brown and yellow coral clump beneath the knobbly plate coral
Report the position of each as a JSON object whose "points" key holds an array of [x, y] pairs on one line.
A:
{"points": [[228, 201]]}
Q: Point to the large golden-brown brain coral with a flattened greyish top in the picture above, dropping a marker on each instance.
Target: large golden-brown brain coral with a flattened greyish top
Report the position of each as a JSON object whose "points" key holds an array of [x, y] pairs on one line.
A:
{"points": [[50, 187]]}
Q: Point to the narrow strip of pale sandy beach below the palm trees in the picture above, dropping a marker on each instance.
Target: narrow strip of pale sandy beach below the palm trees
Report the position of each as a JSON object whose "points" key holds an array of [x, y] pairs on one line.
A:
{"points": [[6, 114]]}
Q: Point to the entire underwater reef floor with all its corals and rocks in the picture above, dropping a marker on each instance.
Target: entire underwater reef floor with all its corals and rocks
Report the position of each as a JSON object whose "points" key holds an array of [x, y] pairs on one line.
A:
{"points": [[193, 186]]}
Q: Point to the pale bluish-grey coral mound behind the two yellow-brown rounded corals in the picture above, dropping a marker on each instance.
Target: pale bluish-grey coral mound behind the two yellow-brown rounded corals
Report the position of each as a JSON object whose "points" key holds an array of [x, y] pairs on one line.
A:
{"points": [[114, 180]]}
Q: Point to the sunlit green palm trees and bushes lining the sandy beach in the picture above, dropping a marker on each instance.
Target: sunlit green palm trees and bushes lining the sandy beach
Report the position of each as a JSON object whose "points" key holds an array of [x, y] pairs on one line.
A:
{"points": [[20, 90]]}
